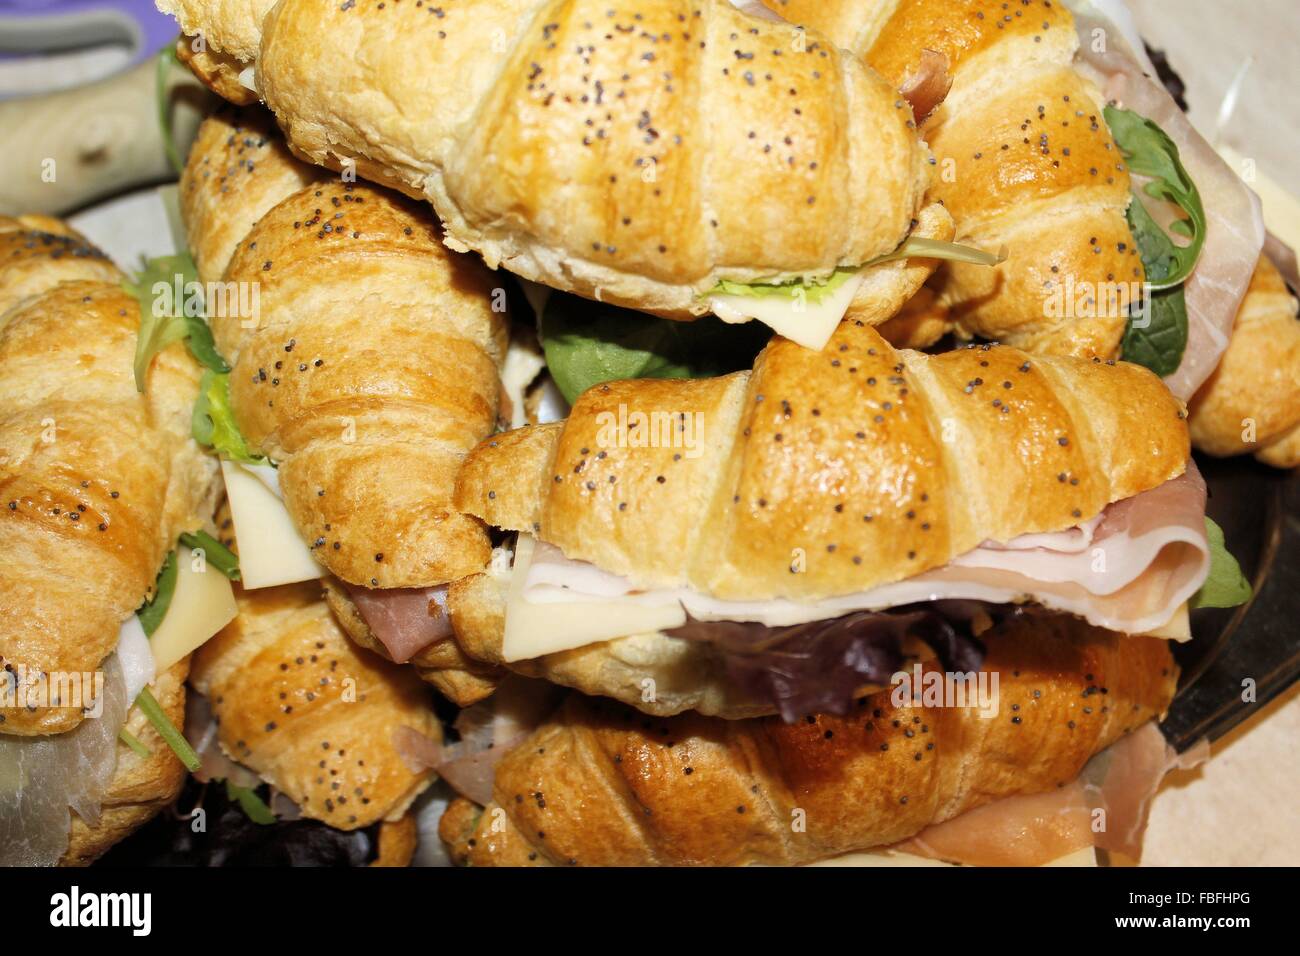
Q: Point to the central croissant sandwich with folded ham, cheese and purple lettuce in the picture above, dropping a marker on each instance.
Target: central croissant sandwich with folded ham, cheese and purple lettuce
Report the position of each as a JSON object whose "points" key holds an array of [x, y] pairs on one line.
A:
{"points": [[783, 539]]}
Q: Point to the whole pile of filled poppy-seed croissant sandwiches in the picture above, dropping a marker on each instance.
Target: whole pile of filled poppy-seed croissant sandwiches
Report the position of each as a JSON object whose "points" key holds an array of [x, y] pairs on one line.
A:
{"points": [[772, 425]]}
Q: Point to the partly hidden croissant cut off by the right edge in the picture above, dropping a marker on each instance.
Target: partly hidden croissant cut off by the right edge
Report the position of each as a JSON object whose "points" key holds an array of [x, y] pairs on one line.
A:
{"points": [[1251, 404]]}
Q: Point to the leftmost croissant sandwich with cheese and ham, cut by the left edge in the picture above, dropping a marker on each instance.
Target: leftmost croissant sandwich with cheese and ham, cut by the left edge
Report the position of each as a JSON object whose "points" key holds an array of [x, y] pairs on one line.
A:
{"points": [[99, 481]]}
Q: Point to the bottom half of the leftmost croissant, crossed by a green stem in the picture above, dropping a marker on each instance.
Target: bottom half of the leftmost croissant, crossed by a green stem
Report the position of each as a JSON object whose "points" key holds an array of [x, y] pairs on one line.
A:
{"points": [[141, 785]]}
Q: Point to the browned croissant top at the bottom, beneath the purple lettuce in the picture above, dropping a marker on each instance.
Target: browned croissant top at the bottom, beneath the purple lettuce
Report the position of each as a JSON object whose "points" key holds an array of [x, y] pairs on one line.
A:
{"points": [[601, 785]]}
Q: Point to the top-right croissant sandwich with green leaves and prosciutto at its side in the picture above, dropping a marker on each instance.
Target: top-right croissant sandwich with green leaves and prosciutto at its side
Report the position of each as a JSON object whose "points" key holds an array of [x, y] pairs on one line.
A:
{"points": [[1055, 146]]}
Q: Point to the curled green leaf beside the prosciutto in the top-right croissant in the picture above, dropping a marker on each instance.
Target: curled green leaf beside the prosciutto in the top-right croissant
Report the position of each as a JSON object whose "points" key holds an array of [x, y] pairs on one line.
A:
{"points": [[1151, 153]]}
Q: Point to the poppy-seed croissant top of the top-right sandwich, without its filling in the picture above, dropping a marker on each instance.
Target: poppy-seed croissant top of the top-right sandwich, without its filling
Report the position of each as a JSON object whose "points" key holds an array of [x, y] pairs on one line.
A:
{"points": [[1026, 161]]}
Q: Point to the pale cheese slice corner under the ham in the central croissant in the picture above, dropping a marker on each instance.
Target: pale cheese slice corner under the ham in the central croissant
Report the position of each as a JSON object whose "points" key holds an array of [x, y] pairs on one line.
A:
{"points": [[535, 630]]}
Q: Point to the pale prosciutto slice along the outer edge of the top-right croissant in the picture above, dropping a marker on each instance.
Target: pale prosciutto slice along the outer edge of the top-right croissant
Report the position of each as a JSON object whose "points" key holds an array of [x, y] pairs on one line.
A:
{"points": [[1236, 220]]}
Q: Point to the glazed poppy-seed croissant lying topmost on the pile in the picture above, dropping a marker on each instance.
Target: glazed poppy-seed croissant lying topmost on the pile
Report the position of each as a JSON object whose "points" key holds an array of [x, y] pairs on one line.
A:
{"points": [[636, 154]]}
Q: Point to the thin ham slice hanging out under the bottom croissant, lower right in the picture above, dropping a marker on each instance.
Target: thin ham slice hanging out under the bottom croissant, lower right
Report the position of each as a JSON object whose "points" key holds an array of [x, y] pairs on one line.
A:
{"points": [[1106, 807]]}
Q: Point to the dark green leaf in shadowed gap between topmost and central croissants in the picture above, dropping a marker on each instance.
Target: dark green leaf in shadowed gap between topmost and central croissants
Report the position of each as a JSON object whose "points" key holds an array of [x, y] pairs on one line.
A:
{"points": [[591, 343]]}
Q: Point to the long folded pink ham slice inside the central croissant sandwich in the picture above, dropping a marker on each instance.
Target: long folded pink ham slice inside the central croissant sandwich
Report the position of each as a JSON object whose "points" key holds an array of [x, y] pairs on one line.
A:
{"points": [[1129, 570]]}
